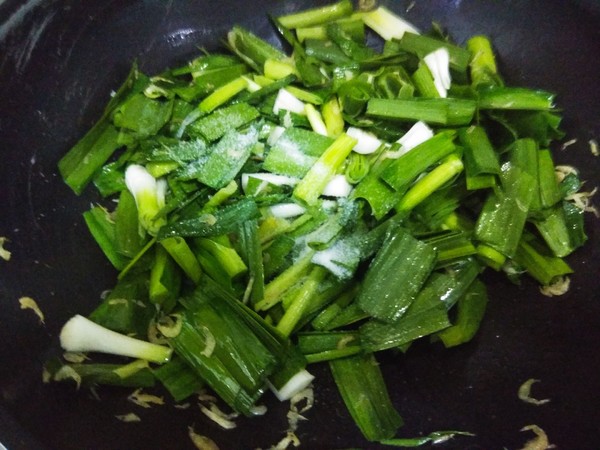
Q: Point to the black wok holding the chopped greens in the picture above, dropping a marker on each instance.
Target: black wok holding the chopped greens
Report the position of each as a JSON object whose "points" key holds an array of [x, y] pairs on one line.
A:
{"points": [[59, 61]]}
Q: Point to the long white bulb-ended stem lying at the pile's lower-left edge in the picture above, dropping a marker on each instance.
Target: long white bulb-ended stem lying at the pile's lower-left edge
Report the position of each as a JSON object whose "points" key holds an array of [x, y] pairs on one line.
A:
{"points": [[82, 335]]}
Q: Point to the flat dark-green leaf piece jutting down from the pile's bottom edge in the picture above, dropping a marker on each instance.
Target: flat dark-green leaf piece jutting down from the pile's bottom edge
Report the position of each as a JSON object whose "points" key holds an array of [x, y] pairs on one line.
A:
{"points": [[363, 390]]}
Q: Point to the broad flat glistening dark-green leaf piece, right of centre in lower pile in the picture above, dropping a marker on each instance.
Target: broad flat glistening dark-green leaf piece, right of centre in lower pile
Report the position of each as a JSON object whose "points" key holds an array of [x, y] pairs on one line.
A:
{"points": [[395, 276]]}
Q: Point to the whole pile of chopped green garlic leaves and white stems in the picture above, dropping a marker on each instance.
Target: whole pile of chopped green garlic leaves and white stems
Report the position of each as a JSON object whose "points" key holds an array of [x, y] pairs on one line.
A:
{"points": [[319, 205]]}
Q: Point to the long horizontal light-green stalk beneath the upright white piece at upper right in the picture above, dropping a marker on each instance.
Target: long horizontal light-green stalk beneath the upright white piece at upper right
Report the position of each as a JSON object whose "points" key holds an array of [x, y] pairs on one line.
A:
{"points": [[437, 111]]}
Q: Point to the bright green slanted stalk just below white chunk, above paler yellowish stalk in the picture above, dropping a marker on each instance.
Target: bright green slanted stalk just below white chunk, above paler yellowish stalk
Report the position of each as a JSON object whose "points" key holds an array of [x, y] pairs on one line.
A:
{"points": [[402, 171]]}
